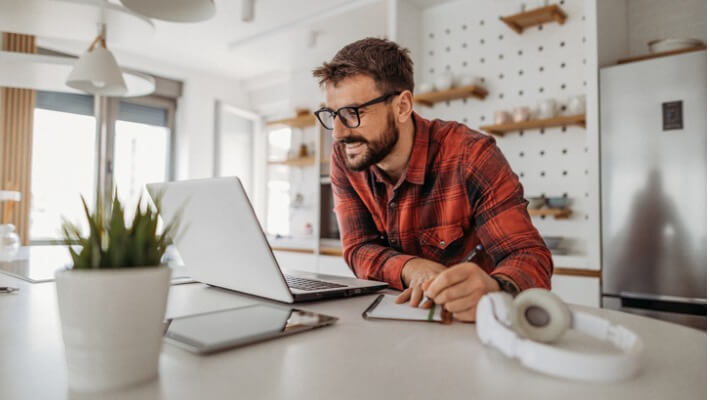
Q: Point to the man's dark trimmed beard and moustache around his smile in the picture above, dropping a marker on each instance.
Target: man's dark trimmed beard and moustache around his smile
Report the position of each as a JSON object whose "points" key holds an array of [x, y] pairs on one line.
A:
{"points": [[375, 151]]}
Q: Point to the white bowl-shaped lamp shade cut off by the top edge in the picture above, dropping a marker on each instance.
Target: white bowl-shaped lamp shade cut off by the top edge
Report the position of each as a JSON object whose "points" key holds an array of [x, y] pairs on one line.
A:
{"points": [[173, 10]]}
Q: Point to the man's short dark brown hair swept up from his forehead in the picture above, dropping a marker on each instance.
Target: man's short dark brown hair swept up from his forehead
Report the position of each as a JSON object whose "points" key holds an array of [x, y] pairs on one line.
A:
{"points": [[388, 64]]}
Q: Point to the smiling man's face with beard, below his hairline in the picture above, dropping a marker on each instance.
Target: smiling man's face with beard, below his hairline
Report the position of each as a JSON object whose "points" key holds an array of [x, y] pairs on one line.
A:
{"points": [[377, 134]]}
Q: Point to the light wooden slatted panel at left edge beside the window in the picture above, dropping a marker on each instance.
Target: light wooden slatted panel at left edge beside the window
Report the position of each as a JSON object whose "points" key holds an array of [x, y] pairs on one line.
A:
{"points": [[16, 136]]}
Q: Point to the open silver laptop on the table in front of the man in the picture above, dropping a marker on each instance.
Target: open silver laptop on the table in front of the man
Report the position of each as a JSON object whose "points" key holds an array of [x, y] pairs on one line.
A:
{"points": [[222, 244]]}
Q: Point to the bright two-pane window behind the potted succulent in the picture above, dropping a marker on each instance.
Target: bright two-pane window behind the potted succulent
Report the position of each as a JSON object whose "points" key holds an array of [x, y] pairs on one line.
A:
{"points": [[65, 162]]}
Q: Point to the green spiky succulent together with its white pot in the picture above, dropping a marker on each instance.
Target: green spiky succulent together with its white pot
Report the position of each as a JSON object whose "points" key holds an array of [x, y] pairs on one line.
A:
{"points": [[112, 299]]}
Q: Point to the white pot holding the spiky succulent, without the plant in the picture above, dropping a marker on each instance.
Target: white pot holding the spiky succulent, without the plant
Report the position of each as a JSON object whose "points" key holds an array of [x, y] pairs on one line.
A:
{"points": [[112, 325]]}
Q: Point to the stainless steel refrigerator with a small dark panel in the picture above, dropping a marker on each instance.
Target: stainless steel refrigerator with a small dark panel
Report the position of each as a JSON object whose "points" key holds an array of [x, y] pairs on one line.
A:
{"points": [[653, 187]]}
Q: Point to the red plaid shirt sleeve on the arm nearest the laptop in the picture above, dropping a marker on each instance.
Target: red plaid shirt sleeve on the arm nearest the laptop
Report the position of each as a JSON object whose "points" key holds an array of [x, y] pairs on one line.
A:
{"points": [[365, 252]]}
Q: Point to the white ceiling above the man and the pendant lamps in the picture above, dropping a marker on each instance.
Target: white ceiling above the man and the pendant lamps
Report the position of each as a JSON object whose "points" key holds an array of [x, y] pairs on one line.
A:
{"points": [[279, 38]]}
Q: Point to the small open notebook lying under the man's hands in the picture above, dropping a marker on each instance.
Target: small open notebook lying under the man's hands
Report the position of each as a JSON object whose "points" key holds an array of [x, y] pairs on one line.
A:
{"points": [[384, 307]]}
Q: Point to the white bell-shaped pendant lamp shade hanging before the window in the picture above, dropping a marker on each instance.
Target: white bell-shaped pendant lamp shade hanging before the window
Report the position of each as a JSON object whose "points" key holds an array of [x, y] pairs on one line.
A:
{"points": [[97, 72]]}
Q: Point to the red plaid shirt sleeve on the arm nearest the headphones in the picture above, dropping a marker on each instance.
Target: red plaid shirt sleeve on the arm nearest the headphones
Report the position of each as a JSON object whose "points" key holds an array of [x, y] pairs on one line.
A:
{"points": [[501, 217]]}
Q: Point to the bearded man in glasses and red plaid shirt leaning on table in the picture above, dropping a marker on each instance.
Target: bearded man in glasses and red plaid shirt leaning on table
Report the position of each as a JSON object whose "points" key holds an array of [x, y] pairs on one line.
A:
{"points": [[414, 197]]}
